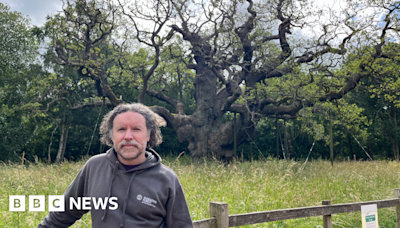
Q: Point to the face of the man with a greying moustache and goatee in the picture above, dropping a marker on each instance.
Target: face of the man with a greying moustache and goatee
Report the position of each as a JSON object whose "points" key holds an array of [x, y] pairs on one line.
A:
{"points": [[130, 137]]}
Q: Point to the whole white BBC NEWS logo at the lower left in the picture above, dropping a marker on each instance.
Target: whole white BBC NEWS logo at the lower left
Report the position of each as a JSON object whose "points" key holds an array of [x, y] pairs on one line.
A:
{"points": [[57, 203]]}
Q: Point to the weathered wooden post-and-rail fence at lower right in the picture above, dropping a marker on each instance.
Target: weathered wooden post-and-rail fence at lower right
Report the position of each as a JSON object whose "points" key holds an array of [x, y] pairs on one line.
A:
{"points": [[220, 218]]}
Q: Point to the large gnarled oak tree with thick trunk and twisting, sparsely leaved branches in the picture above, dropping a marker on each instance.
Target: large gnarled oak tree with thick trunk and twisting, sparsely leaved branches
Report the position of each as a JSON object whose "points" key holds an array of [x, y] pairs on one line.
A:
{"points": [[258, 59]]}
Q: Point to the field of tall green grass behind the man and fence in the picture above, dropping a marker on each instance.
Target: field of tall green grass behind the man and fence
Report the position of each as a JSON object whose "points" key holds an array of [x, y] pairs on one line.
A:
{"points": [[245, 186]]}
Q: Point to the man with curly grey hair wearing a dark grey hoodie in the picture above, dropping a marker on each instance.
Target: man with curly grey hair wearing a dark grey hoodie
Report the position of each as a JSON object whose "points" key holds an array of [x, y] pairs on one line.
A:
{"points": [[148, 193]]}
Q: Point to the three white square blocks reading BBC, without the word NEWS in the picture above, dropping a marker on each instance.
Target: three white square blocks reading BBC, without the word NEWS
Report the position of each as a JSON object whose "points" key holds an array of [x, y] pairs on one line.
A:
{"points": [[36, 203]]}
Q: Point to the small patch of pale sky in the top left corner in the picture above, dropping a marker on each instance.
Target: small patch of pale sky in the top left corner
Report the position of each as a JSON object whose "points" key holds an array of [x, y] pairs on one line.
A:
{"points": [[37, 10]]}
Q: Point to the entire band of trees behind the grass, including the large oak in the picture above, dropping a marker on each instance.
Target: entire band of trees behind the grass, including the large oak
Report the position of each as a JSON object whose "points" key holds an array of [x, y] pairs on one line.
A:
{"points": [[260, 79]]}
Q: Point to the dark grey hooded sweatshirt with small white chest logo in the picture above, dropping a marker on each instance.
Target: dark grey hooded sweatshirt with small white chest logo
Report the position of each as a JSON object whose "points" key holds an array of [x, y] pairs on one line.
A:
{"points": [[149, 195]]}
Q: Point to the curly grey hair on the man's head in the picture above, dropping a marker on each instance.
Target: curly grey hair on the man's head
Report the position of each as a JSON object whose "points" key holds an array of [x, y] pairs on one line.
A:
{"points": [[150, 117]]}
